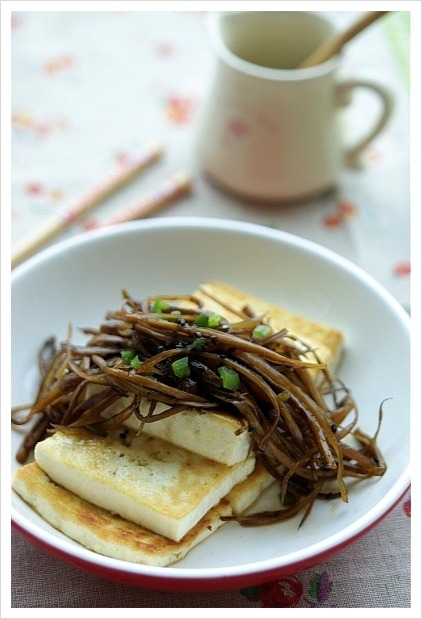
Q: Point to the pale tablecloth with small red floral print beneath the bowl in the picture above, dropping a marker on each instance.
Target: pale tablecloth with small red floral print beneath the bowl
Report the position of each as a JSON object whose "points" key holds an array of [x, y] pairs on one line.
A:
{"points": [[90, 87]]}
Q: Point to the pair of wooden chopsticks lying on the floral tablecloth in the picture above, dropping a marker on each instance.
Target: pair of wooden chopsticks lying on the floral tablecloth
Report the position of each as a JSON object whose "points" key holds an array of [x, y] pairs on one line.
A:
{"points": [[171, 189]]}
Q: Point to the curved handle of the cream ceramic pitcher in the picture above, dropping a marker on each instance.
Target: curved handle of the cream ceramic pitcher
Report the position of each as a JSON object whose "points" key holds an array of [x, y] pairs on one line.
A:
{"points": [[352, 155]]}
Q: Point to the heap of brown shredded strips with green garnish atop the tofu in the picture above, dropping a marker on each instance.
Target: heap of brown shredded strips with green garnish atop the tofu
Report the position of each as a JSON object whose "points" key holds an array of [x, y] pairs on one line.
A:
{"points": [[168, 349]]}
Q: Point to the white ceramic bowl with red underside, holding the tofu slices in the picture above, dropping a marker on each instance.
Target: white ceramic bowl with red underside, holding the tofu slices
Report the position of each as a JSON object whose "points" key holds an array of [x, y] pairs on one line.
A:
{"points": [[79, 279]]}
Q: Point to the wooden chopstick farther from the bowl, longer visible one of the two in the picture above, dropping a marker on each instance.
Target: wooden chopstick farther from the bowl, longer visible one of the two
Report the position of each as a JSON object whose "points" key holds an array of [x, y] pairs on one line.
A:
{"points": [[57, 223]]}
